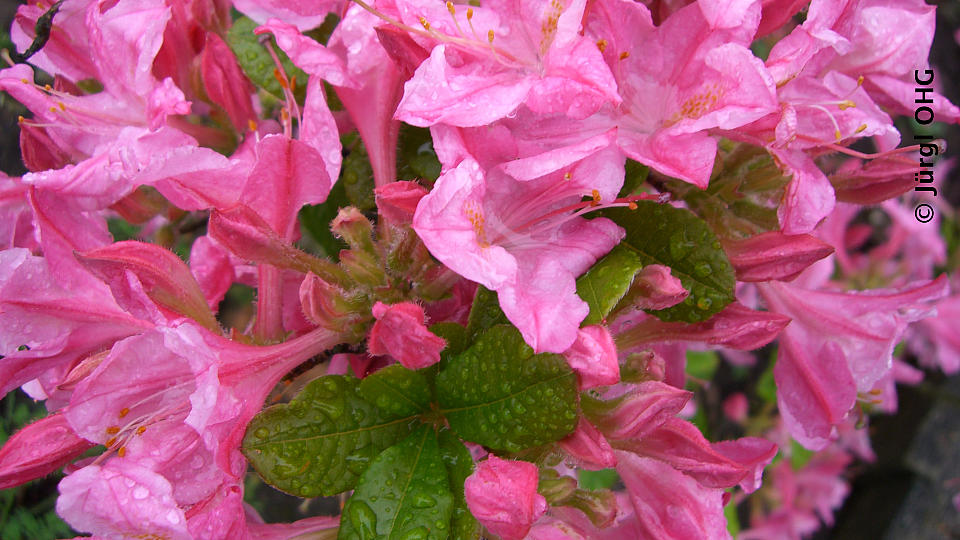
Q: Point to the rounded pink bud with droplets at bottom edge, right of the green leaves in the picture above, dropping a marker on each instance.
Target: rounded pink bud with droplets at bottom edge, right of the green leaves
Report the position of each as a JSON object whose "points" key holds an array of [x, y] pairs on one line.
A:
{"points": [[503, 496]]}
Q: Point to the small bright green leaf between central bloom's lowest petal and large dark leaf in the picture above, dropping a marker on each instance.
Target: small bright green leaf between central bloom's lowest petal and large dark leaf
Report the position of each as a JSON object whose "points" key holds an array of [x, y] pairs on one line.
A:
{"points": [[607, 282]]}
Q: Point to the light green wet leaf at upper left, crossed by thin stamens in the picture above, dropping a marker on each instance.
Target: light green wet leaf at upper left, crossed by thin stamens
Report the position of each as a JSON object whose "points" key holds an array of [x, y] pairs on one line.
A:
{"points": [[257, 63]]}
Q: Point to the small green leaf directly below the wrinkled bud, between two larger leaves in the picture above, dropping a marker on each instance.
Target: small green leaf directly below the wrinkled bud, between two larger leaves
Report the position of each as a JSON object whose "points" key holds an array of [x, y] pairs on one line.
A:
{"points": [[396, 390]]}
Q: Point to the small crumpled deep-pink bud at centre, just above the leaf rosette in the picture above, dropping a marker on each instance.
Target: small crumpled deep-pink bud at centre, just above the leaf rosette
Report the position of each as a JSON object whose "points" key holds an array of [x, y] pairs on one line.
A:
{"points": [[401, 333]]}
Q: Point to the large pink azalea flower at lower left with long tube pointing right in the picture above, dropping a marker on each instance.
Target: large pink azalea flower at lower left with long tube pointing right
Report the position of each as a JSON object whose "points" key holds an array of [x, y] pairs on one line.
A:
{"points": [[171, 406]]}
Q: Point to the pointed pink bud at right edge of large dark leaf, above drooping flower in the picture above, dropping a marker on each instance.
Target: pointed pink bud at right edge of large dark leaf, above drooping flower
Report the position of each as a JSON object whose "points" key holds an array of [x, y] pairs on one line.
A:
{"points": [[775, 255]]}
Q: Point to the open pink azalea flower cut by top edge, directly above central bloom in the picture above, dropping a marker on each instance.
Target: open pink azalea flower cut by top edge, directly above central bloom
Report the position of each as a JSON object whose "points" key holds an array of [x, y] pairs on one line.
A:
{"points": [[487, 61]]}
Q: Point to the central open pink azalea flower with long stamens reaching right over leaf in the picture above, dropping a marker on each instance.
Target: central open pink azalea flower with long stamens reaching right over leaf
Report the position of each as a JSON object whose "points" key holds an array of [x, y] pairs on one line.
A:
{"points": [[516, 238]]}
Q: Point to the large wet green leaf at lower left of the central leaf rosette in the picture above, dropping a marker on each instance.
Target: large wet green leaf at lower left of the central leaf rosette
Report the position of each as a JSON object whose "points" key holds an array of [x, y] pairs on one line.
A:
{"points": [[322, 441]]}
